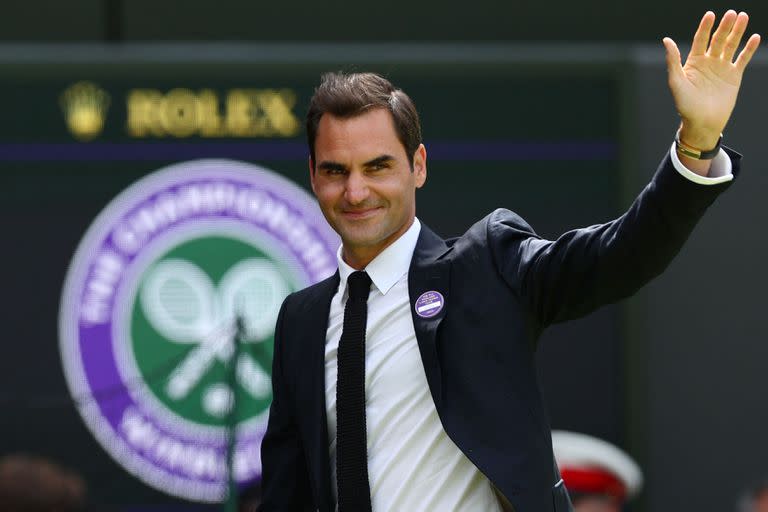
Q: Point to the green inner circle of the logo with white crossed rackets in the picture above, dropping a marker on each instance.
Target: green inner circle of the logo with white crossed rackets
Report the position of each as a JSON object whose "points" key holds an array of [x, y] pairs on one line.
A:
{"points": [[202, 327]]}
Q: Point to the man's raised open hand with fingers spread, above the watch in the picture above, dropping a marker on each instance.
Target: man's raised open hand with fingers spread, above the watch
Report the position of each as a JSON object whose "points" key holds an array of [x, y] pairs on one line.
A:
{"points": [[706, 87]]}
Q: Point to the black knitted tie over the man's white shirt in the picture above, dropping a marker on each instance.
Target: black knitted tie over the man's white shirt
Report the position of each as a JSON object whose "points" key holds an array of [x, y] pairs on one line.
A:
{"points": [[351, 451]]}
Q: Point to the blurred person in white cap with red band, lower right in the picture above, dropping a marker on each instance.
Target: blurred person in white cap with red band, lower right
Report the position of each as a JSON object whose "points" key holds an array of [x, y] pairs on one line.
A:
{"points": [[599, 476]]}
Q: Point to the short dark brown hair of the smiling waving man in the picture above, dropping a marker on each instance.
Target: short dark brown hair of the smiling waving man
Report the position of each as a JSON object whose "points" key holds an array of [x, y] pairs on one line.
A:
{"points": [[352, 94]]}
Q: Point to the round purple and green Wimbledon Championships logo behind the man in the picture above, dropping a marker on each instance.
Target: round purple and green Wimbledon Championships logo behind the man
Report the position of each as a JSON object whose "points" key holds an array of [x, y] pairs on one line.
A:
{"points": [[174, 289]]}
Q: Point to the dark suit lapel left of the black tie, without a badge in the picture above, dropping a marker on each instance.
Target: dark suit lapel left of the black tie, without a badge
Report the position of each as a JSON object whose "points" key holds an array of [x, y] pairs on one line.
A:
{"points": [[315, 320]]}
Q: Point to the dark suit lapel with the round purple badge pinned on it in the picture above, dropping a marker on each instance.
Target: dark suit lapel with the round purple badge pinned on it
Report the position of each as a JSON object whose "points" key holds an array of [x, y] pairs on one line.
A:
{"points": [[429, 273]]}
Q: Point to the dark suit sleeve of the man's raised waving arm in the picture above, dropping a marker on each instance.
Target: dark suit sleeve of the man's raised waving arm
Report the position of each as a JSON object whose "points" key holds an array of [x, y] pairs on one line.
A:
{"points": [[589, 267]]}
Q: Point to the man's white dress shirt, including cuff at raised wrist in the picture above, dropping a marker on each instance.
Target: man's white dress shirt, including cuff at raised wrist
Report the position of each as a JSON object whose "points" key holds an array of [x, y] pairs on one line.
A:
{"points": [[412, 463]]}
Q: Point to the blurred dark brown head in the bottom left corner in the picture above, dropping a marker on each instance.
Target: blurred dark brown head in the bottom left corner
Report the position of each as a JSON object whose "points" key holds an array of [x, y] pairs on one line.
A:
{"points": [[34, 484]]}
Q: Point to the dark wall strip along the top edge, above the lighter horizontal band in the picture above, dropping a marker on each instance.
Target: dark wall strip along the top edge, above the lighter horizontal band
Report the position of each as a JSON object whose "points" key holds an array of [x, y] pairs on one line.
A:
{"points": [[337, 20]]}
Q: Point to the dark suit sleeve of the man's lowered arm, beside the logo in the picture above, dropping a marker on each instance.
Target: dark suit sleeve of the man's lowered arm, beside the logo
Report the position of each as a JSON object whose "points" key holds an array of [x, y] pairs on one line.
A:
{"points": [[285, 478]]}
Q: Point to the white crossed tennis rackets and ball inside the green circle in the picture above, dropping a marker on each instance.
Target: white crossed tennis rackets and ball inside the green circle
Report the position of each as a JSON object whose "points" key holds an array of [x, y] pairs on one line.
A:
{"points": [[183, 305]]}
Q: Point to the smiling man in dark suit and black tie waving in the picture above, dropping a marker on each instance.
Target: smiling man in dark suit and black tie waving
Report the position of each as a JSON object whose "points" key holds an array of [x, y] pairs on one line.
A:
{"points": [[406, 381]]}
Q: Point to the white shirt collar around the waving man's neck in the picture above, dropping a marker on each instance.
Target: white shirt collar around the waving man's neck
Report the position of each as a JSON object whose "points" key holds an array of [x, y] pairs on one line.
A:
{"points": [[389, 266]]}
